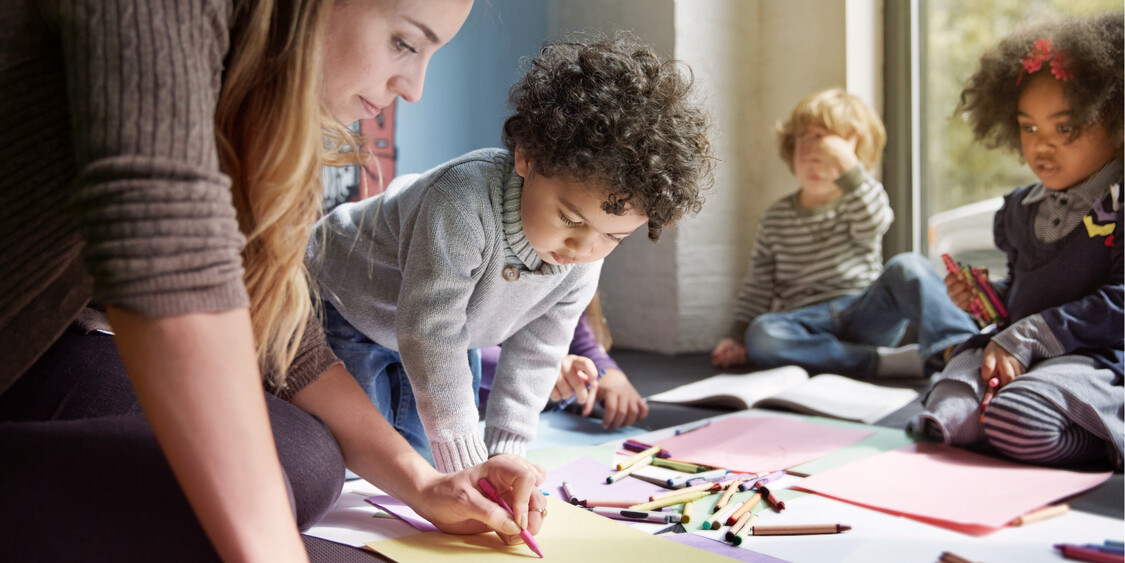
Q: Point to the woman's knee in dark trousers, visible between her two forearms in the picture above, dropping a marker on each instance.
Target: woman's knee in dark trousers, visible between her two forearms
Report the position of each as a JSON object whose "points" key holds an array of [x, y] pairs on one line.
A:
{"points": [[311, 458]]}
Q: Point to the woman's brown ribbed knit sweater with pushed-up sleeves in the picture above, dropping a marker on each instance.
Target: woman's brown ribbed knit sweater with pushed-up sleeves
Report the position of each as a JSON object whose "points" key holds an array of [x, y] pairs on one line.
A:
{"points": [[110, 178]]}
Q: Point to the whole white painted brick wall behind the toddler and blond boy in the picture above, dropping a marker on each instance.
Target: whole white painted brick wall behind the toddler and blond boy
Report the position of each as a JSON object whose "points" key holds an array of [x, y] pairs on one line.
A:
{"points": [[753, 60]]}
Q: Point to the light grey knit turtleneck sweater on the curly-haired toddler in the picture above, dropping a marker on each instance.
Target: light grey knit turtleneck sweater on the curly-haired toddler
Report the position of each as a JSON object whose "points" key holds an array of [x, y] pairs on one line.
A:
{"points": [[421, 271]]}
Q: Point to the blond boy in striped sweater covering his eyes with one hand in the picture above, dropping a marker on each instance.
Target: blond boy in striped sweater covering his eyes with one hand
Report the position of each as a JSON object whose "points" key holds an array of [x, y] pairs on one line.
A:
{"points": [[817, 294]]}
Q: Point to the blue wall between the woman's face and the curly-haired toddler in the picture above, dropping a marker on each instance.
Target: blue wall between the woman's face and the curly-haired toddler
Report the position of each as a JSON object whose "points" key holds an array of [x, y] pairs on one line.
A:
{"points": [[465, 100]]}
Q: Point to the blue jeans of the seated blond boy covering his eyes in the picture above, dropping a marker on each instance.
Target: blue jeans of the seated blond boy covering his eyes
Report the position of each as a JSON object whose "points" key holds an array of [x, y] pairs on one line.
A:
{"points": [[841, 336]]}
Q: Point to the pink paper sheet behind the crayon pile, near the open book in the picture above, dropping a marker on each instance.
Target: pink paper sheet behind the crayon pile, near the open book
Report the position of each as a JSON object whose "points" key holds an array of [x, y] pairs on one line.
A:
{"points": [[760, 444]]}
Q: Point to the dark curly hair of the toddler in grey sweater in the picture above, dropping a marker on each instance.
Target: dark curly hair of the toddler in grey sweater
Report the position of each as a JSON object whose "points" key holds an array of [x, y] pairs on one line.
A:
{"points": [[610, 111]]}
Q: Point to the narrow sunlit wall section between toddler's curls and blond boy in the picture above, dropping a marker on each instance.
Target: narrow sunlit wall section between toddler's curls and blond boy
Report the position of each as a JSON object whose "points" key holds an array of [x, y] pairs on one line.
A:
{"points": [[721, 41]]}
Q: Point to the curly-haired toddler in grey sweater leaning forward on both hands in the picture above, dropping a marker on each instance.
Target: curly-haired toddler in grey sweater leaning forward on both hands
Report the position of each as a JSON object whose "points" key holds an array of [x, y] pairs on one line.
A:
{"points": [[507, 246]]}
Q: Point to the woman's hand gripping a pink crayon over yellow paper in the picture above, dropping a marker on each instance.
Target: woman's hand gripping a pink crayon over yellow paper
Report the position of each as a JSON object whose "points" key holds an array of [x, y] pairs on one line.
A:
{"points": [[454, 503]]}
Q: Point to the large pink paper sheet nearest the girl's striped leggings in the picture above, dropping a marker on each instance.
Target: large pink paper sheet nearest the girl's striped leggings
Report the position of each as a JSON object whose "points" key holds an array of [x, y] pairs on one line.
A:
{"points": [[950, 487]]}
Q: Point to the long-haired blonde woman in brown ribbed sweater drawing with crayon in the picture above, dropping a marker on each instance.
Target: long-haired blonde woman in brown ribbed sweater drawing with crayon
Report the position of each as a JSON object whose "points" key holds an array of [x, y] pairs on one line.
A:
{"points": [[160, 180]]}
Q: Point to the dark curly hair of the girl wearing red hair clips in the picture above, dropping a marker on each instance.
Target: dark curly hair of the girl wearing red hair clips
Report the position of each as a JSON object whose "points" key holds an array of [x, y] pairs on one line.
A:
{"points": [[1093, 55]]}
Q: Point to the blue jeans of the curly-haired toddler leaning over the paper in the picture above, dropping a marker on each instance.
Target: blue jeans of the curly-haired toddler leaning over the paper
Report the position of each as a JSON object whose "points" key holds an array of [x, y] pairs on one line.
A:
{"points": [[380, 372]]}
